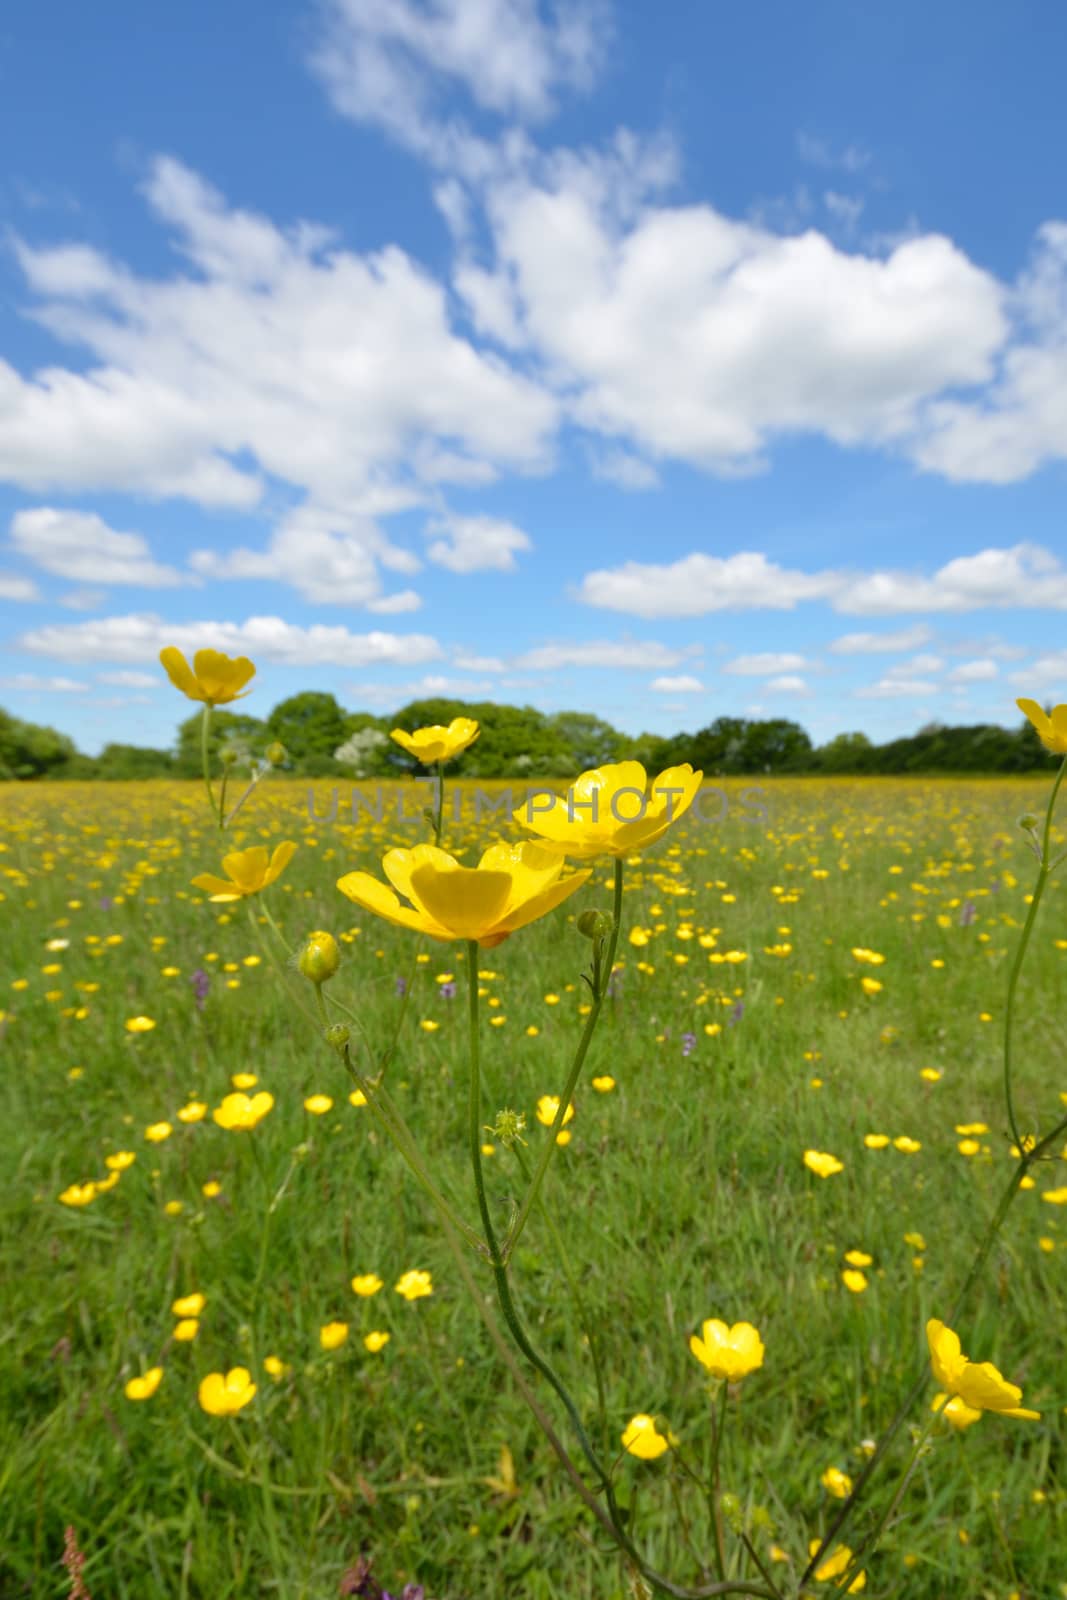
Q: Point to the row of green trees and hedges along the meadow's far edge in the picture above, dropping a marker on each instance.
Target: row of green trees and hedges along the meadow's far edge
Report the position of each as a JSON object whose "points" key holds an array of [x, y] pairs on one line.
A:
{"points": [[322, 740]]}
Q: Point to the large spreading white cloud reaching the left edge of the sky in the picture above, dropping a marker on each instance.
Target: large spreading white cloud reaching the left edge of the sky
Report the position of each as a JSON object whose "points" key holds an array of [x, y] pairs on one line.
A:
{"points": [[276, 354]]}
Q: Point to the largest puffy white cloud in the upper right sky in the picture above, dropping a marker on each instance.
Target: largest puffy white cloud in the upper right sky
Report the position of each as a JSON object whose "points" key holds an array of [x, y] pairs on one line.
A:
{"points": [[687, 335]]}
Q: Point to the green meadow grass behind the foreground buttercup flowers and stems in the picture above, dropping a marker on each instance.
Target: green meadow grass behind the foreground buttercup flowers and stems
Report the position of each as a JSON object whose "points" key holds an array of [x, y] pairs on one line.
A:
{"points": [[682, 1196]]}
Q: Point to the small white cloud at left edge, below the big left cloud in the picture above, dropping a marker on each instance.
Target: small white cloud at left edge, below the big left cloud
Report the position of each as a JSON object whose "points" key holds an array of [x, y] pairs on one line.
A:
{"points": [[81, 546]]}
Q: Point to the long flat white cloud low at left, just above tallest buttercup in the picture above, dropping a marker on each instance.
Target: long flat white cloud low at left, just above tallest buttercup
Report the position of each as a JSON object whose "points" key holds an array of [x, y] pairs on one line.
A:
{"points": [[266, 639]]}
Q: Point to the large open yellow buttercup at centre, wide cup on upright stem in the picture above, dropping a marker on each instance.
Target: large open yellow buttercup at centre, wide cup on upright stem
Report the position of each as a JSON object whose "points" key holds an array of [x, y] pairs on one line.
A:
{"points": [[511, 887]]}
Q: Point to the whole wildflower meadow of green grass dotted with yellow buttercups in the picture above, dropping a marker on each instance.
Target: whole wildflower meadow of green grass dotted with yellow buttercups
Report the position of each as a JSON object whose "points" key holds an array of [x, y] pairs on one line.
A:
{"points": [[602, 1196]]}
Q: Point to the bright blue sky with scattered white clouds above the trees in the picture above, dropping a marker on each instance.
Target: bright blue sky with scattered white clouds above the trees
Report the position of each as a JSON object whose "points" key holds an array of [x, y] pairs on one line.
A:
{"points": [[661, 362]]}
